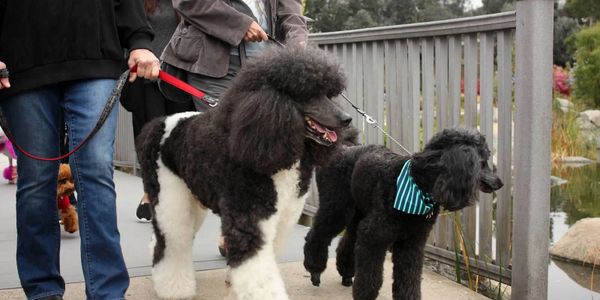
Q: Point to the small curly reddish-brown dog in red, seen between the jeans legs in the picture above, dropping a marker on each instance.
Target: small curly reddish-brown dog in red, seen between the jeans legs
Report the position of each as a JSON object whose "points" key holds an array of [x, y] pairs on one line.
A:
{"points": [[66, 188]]}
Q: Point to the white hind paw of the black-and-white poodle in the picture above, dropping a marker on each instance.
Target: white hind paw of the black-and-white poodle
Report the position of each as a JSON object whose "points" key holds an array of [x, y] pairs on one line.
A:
{"points": [[174, 285]]}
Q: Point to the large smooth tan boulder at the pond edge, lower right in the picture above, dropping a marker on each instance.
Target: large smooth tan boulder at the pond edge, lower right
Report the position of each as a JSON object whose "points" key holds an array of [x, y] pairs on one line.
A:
{"points": [[581, 243]]}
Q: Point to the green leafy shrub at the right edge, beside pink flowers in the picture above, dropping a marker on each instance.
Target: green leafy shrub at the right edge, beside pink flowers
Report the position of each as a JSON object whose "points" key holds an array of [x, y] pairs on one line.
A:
{"points": [[586, 44]]}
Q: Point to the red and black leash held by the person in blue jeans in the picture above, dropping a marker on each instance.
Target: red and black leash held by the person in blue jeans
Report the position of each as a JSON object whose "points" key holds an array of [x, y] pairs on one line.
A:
{"points": [[116, 93]]}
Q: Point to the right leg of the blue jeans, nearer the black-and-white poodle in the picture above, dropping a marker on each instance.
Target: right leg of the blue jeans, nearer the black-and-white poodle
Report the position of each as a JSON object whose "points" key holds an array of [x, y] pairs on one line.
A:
{"points": [[104, 269]]}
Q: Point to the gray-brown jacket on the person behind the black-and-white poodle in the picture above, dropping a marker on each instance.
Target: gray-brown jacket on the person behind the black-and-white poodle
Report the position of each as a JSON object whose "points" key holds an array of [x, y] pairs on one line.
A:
{"points": [[209, 28]]}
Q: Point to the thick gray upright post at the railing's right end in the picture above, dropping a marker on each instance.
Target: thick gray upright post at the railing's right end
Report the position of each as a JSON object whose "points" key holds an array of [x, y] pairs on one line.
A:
{"points": [[533, 121]]}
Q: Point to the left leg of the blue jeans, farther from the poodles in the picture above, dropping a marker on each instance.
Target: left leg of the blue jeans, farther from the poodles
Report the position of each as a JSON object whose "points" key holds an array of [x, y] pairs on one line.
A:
{"points": [[33, 117]]}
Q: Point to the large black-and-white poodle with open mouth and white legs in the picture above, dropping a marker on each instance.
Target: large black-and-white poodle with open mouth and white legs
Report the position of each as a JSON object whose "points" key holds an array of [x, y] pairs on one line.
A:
{"points": [[249, 160]]}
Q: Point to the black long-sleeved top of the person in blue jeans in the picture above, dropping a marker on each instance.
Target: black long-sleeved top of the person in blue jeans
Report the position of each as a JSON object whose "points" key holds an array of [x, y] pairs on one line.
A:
{"points": [[50, 41]]}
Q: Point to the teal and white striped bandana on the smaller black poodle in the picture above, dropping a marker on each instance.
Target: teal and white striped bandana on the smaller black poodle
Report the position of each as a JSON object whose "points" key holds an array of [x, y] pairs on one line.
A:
{"points": [[409, 198]]}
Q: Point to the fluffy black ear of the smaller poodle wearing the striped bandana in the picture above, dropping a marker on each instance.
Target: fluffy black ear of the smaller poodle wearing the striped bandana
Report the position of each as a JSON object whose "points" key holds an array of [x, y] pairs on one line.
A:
{"points": [[456, 186]]}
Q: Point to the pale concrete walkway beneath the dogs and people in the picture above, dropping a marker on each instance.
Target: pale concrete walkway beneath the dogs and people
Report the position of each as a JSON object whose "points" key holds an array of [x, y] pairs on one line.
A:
{"points": [[207, 261]]}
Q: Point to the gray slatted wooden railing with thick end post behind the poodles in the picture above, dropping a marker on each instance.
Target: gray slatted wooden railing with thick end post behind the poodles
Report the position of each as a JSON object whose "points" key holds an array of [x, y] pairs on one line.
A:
{"points": [[416, 79]]}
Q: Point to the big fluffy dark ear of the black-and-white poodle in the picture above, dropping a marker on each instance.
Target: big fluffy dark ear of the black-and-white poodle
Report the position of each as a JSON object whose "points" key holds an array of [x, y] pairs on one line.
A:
{"points": [[266, 132]]}
